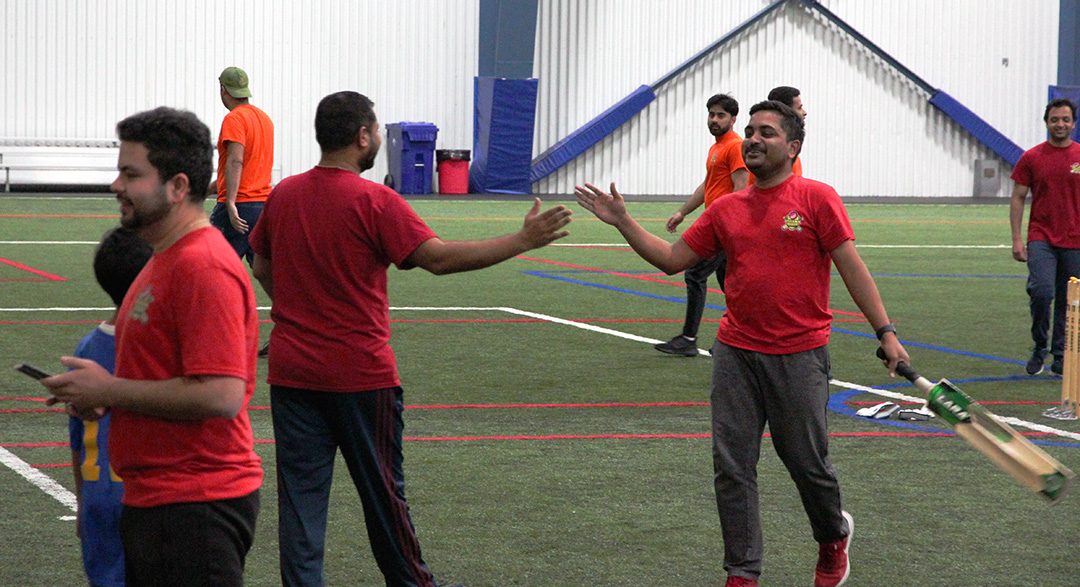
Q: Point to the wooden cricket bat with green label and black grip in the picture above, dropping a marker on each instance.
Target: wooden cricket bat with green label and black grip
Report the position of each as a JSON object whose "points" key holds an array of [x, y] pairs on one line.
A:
{"points": [[998, 442]]}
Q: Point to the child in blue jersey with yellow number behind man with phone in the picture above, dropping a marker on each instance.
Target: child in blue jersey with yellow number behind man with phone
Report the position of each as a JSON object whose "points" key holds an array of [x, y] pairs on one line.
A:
{"points": [[119, 258]]}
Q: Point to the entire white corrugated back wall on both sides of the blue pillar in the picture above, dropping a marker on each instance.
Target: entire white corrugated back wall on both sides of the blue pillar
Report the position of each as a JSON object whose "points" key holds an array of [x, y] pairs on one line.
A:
{"points": [[73, 69]]}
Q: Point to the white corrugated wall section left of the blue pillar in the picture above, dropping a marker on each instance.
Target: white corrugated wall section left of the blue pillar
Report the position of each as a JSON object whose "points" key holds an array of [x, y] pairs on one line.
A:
{"points": [[74, 69]]}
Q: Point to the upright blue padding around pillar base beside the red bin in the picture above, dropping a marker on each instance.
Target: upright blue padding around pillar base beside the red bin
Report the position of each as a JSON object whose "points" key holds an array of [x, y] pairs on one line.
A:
{"points": [[504, 120]]}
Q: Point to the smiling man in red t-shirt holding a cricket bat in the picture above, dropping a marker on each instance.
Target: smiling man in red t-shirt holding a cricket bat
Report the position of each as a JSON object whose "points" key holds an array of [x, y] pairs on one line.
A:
{"points": [[771, 361]]}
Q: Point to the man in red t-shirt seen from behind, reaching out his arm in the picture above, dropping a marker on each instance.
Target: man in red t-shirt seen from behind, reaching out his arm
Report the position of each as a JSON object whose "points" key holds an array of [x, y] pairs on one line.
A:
{"points": [[322, 250]]}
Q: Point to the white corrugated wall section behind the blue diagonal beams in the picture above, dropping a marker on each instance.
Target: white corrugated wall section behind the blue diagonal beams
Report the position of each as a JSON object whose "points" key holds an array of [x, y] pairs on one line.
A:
{"points": [[870, 132]]}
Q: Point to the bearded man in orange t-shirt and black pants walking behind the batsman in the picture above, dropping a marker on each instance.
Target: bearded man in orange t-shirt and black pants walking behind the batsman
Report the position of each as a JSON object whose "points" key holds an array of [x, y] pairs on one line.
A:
{"points": [[725, 173]]}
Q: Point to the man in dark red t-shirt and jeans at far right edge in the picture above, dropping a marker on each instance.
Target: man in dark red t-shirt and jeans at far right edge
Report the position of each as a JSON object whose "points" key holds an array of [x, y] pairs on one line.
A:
{"points": [[1051, 172]]}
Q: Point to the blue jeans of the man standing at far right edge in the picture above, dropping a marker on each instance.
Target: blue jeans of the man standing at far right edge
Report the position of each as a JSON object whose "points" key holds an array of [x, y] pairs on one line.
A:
{"points": [[1049, 271]]}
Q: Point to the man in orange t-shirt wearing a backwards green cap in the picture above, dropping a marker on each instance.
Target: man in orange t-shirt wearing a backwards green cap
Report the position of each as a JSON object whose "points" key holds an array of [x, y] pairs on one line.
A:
{"points": [[245, 160]]}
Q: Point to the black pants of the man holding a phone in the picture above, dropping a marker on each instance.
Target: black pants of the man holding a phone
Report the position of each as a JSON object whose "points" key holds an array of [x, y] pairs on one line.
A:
{"points": [[190, 545]]}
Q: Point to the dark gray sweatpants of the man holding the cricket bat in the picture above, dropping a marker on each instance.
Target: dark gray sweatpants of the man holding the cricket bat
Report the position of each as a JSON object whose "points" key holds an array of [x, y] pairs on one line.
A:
{"points": [[790, 392]]}
